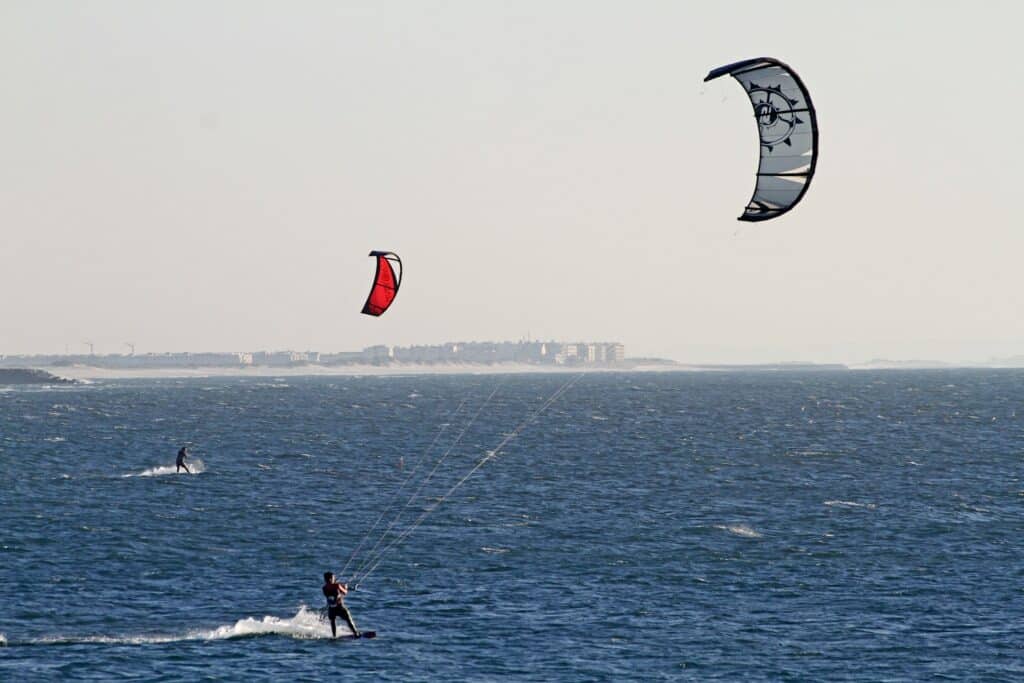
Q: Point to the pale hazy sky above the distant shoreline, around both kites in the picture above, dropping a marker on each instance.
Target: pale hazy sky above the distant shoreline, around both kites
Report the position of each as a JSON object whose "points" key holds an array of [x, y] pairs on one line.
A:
{"points": [[211, 176]]}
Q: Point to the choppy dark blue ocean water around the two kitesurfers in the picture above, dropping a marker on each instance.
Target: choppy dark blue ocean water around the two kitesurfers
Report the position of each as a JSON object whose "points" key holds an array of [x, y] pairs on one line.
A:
{"points": [[844, 526]]}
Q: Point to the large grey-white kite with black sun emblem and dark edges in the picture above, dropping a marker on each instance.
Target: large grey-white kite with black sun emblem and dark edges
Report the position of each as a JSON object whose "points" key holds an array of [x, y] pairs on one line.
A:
{"points": [[789, 132]]}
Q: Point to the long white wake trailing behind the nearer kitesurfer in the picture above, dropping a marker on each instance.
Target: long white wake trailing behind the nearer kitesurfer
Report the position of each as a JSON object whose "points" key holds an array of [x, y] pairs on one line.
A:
{"points": [[306, 625]]}
